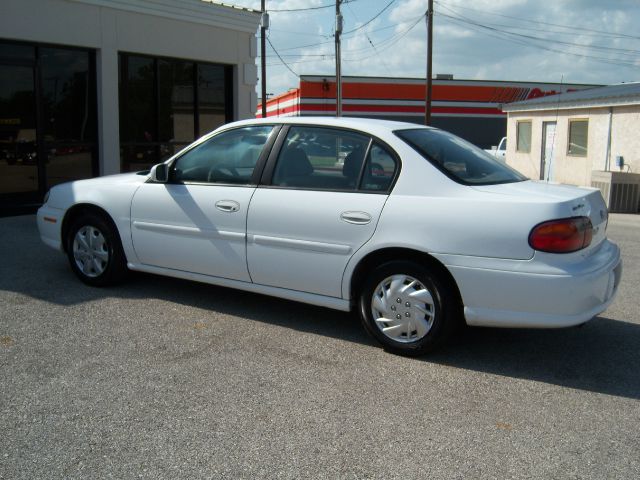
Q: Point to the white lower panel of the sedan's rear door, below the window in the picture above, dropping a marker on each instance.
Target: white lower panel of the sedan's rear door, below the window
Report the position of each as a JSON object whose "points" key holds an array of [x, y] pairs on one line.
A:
{"points": [[297, 239]]}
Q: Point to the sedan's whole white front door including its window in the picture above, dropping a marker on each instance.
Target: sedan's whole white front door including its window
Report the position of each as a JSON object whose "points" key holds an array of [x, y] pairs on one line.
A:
{"points": [[197, 221]]}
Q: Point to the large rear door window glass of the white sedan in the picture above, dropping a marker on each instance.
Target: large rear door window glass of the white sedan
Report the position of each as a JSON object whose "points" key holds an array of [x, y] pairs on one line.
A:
{"points": [[320, 158]]}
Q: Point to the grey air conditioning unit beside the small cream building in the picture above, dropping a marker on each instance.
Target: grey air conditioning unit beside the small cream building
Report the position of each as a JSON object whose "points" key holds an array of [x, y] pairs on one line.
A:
{"points": [[621, 190]]}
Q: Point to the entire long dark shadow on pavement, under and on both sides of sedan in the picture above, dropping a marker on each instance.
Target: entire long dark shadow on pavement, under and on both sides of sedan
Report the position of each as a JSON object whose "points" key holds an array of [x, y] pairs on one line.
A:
{"points": [[601, 356]]}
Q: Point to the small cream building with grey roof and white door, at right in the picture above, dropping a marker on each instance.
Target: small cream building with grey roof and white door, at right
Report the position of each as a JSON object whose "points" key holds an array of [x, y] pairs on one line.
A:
{"points": [[587, 138]]}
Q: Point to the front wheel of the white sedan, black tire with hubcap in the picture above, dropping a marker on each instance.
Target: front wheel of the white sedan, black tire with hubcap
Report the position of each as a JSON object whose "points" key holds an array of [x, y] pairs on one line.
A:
{"points": [[100, 261]]}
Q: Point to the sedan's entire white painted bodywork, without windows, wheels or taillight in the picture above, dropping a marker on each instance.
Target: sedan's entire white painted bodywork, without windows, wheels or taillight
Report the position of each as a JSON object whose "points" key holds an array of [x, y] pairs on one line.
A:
{"points": [[293, 244]]}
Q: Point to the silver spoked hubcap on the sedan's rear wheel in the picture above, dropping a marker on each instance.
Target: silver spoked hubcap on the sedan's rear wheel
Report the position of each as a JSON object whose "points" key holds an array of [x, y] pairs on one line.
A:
{"points": [[403, 308]]}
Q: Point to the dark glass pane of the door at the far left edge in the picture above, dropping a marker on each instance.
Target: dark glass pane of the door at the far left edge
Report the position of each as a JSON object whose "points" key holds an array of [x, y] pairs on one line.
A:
{"points": [[18, 147]]}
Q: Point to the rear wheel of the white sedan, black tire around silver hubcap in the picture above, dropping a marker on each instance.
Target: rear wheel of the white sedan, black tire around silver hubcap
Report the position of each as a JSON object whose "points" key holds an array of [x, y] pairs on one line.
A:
{"points": [[439, 317]]}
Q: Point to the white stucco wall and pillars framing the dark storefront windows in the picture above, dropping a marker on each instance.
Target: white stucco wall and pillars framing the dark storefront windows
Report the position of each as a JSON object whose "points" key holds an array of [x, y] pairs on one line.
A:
{"points": [[186, 29]]}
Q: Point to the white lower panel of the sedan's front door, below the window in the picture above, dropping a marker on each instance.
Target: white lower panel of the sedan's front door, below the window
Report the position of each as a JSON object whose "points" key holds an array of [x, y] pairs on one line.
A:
{"points": [[181, 227]]}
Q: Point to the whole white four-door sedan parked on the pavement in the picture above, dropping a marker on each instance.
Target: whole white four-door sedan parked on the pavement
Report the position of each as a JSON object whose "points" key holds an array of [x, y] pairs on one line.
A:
{"points": [[412, 227]]}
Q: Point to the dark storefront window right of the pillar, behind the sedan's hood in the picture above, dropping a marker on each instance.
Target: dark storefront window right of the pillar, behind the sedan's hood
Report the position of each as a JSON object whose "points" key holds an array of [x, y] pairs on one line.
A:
{"points": [[165, 104]]}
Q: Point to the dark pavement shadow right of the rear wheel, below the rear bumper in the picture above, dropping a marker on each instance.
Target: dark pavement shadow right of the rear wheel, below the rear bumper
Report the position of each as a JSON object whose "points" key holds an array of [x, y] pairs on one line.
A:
{"points": [[601, 356]]}
